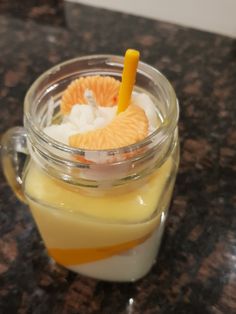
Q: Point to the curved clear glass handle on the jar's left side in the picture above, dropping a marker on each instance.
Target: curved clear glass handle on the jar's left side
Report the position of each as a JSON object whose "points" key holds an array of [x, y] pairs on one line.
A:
{"points": [[13, 155]]}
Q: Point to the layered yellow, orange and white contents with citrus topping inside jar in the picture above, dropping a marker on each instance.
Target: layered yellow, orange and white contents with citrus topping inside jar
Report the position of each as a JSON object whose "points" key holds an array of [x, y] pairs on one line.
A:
{"points": [[111, 230]]}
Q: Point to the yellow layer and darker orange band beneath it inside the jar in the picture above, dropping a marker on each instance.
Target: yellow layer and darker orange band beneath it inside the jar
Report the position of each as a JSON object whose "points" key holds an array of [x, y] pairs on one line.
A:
{"points": [[69, 219]]}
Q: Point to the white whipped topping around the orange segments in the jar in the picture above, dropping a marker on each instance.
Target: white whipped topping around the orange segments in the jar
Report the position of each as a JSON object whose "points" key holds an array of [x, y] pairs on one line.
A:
{"points": [[84, 118]]}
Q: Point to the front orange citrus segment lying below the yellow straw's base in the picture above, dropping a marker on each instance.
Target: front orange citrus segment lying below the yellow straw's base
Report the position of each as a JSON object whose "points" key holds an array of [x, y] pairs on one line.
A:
{"points": [[127, 128]]}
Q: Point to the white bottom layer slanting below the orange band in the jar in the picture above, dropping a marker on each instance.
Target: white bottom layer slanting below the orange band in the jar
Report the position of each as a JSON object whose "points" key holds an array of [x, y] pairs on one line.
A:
{"points": [[129, 266]]}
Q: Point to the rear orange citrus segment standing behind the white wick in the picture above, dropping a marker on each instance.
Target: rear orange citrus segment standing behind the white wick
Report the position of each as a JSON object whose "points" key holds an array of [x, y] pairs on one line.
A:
{"points": [[105, 90]]}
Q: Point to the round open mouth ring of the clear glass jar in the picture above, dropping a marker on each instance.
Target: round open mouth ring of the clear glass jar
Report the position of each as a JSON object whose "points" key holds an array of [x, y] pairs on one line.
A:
{"points": [[33, 96]]}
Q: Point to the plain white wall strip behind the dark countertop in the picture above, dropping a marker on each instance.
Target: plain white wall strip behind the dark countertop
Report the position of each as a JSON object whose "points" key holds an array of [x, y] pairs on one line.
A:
{"points": [[217, 16]]}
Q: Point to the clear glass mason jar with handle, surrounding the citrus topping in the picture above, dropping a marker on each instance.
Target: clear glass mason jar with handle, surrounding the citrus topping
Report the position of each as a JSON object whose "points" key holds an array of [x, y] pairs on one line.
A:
{"points": [[100, 213]]}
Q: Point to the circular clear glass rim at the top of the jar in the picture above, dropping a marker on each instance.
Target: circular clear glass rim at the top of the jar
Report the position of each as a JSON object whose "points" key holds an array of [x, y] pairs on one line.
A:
{"points": [[168, 125]]}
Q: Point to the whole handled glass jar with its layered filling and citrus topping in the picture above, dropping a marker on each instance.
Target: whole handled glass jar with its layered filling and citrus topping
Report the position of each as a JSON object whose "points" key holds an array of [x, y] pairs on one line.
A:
{"points": [[100, 172]]}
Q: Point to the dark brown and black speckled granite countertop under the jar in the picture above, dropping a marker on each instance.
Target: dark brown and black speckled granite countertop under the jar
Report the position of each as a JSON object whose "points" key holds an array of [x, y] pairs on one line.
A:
{"points": [[196, 268]]}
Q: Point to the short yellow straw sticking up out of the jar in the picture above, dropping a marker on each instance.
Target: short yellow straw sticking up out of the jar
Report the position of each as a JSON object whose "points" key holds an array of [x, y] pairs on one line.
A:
{"points": [[128, 79]]}
